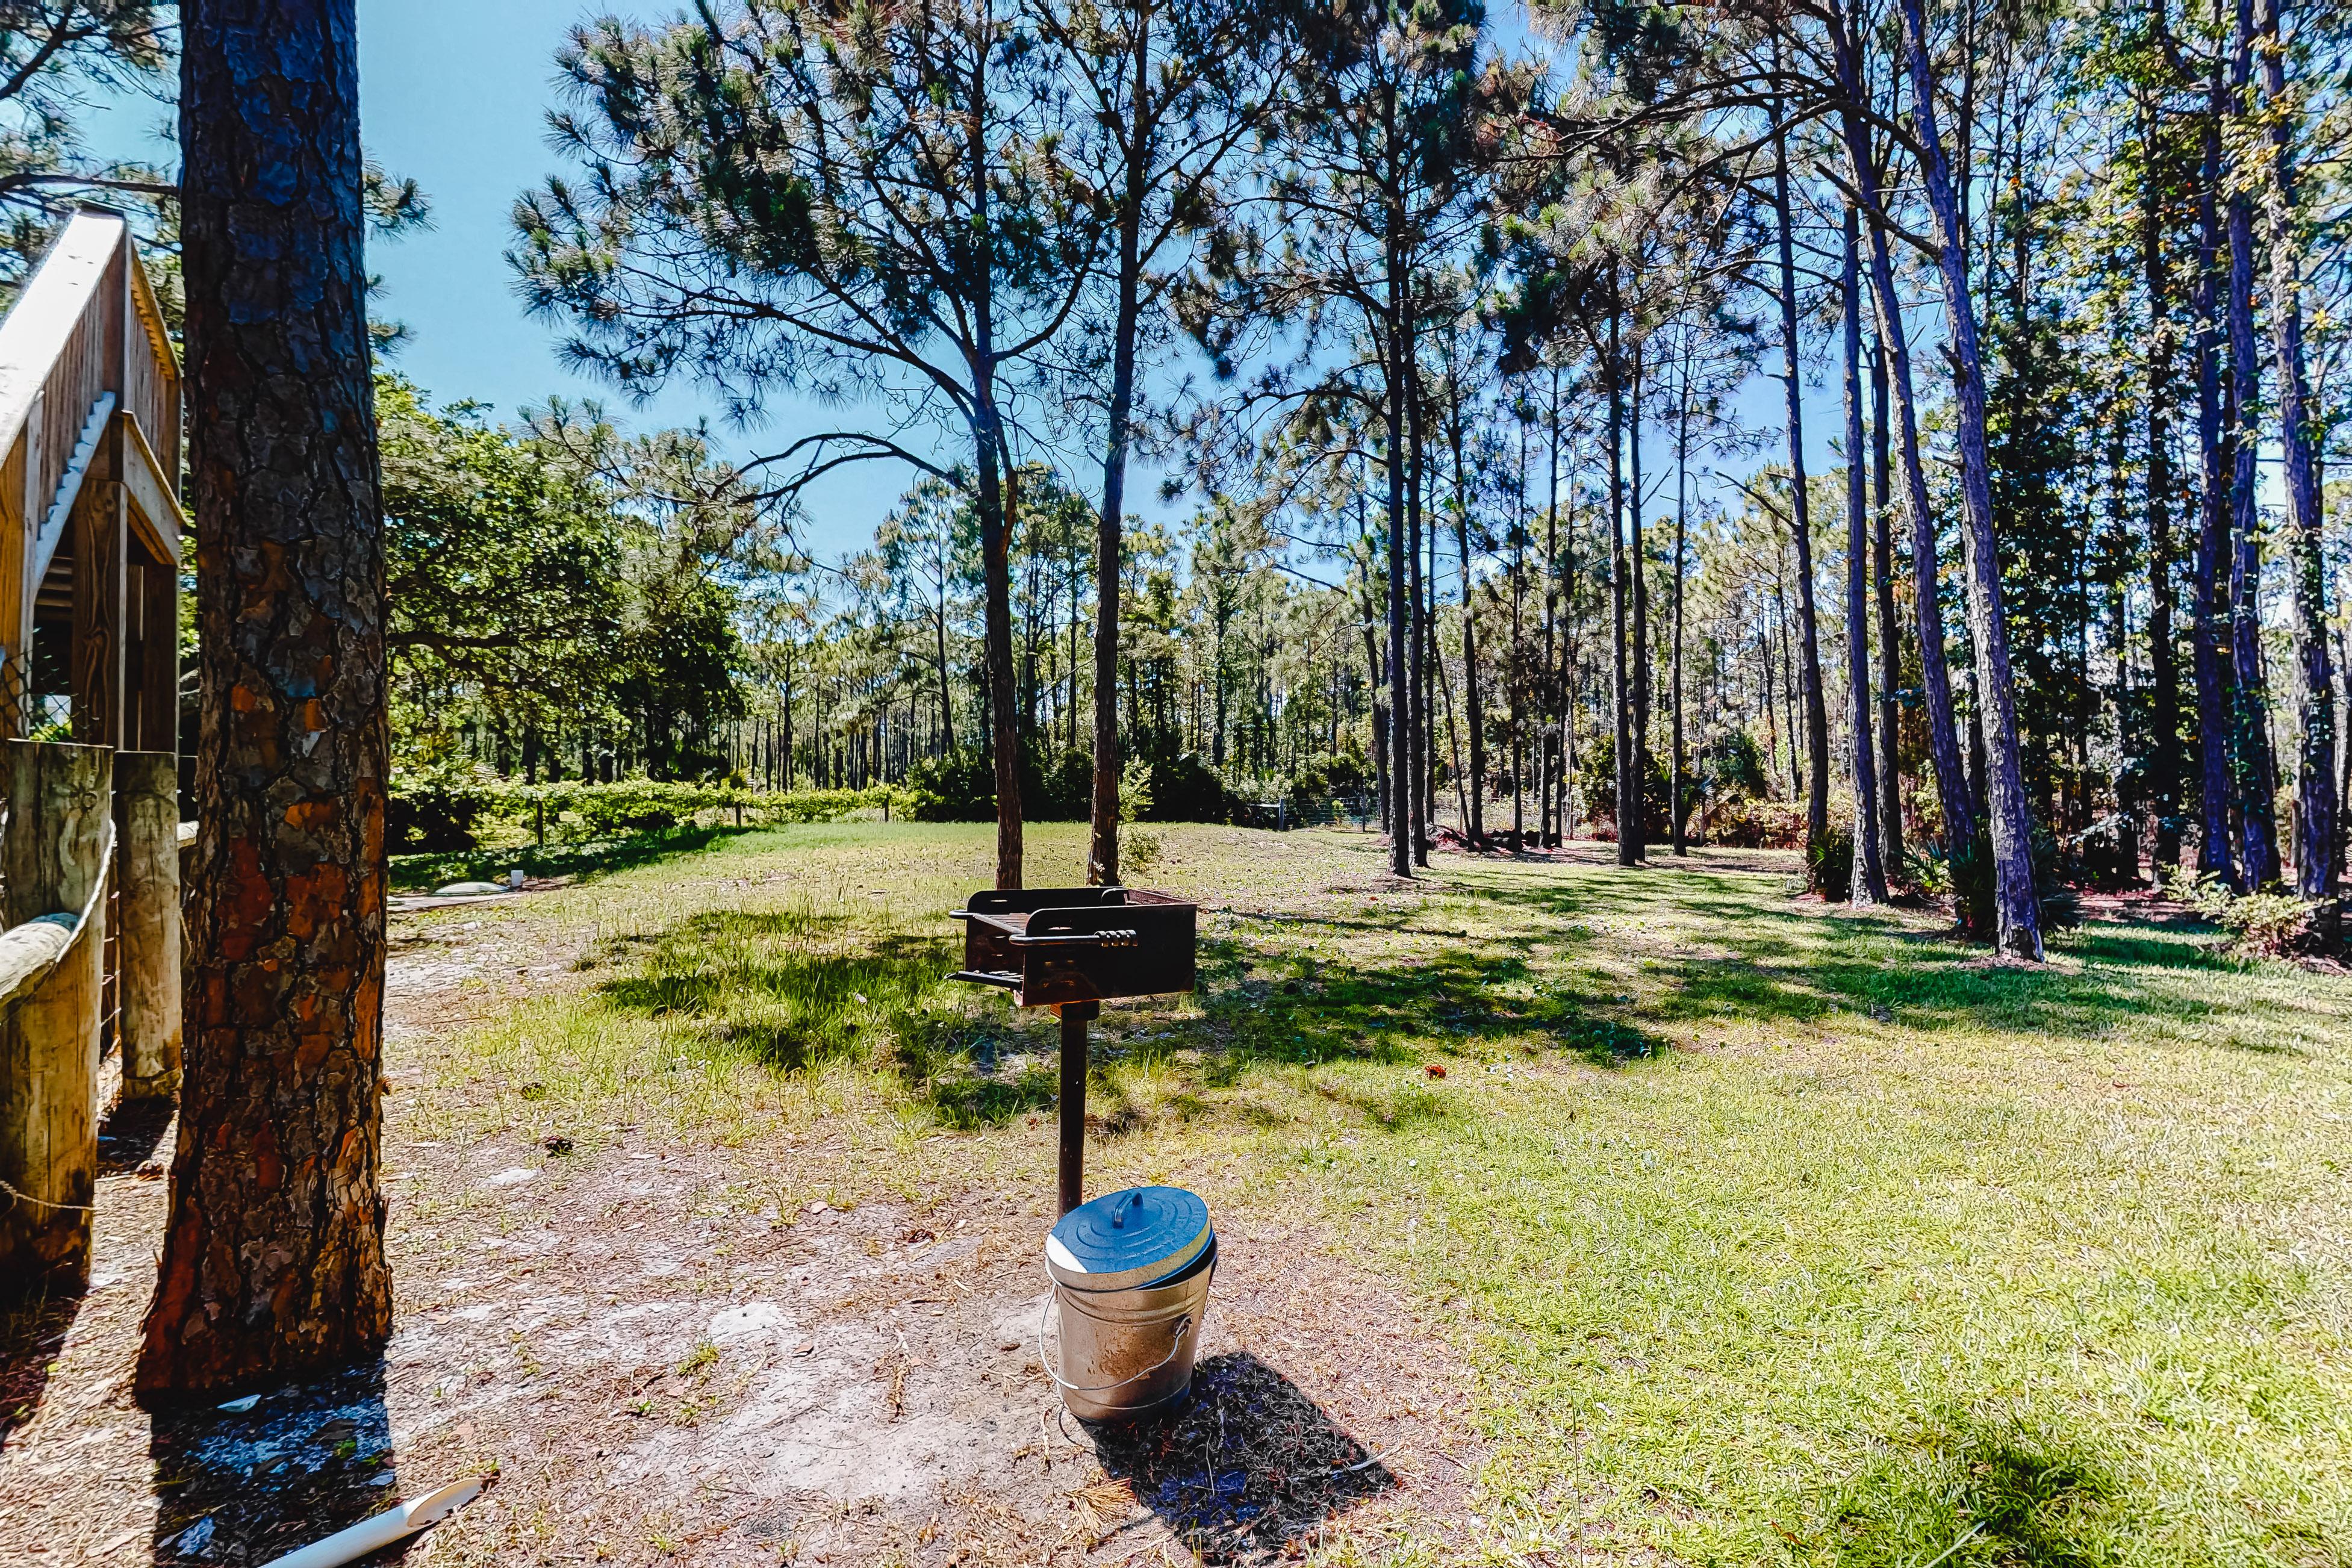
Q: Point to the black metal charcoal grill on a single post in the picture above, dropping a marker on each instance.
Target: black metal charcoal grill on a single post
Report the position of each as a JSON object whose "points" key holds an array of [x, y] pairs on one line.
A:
{"points": [[1074, 951]]}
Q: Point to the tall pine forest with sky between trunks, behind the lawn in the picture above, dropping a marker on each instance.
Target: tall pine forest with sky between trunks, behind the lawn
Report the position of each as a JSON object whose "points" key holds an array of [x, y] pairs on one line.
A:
{"points": [[1890, 429]]}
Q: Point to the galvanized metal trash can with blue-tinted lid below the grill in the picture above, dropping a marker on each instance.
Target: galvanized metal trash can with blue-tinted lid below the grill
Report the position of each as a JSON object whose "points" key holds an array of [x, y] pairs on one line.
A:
{"points": [[1132, 1280]]}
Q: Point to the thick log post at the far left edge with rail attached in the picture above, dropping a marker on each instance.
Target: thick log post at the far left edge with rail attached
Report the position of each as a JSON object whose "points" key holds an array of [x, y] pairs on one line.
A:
{"points": [[53, 857]]}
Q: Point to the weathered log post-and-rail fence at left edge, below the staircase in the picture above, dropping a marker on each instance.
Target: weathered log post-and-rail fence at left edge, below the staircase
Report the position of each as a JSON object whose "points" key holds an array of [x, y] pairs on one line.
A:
{"points": [[88, 981]]}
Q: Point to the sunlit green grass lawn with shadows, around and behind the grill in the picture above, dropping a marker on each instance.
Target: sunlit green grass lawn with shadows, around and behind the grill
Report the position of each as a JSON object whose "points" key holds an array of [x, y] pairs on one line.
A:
{"points": [[1784, 1235]]}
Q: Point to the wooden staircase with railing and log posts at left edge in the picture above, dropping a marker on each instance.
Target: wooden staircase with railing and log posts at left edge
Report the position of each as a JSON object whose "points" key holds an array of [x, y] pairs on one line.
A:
{"points": [[91, 563]]}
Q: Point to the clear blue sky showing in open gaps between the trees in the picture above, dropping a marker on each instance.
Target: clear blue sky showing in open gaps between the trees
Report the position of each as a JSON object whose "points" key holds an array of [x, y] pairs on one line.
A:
{"points": [[455, 93]]}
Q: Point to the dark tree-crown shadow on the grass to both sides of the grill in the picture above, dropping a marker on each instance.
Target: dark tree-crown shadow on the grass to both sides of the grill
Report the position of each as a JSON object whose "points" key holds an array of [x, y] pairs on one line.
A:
{"points": [[803, 989]]}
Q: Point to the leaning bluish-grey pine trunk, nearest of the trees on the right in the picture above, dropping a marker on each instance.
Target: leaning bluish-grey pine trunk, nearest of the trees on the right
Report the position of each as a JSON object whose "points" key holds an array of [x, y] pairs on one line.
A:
{"points": [[2017, 906]]}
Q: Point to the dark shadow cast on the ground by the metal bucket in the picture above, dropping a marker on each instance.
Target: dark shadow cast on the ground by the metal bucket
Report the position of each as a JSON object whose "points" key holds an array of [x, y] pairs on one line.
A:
{"points": [[1248, 1468]]}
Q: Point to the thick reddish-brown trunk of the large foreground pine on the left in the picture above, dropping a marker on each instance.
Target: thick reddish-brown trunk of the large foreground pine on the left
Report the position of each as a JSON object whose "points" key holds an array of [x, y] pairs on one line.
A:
{"points": [[274, 1252]]}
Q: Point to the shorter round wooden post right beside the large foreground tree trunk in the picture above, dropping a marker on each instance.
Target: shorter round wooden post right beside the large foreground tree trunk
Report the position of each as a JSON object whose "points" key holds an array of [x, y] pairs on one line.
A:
{"points": [[147, 866]]}
